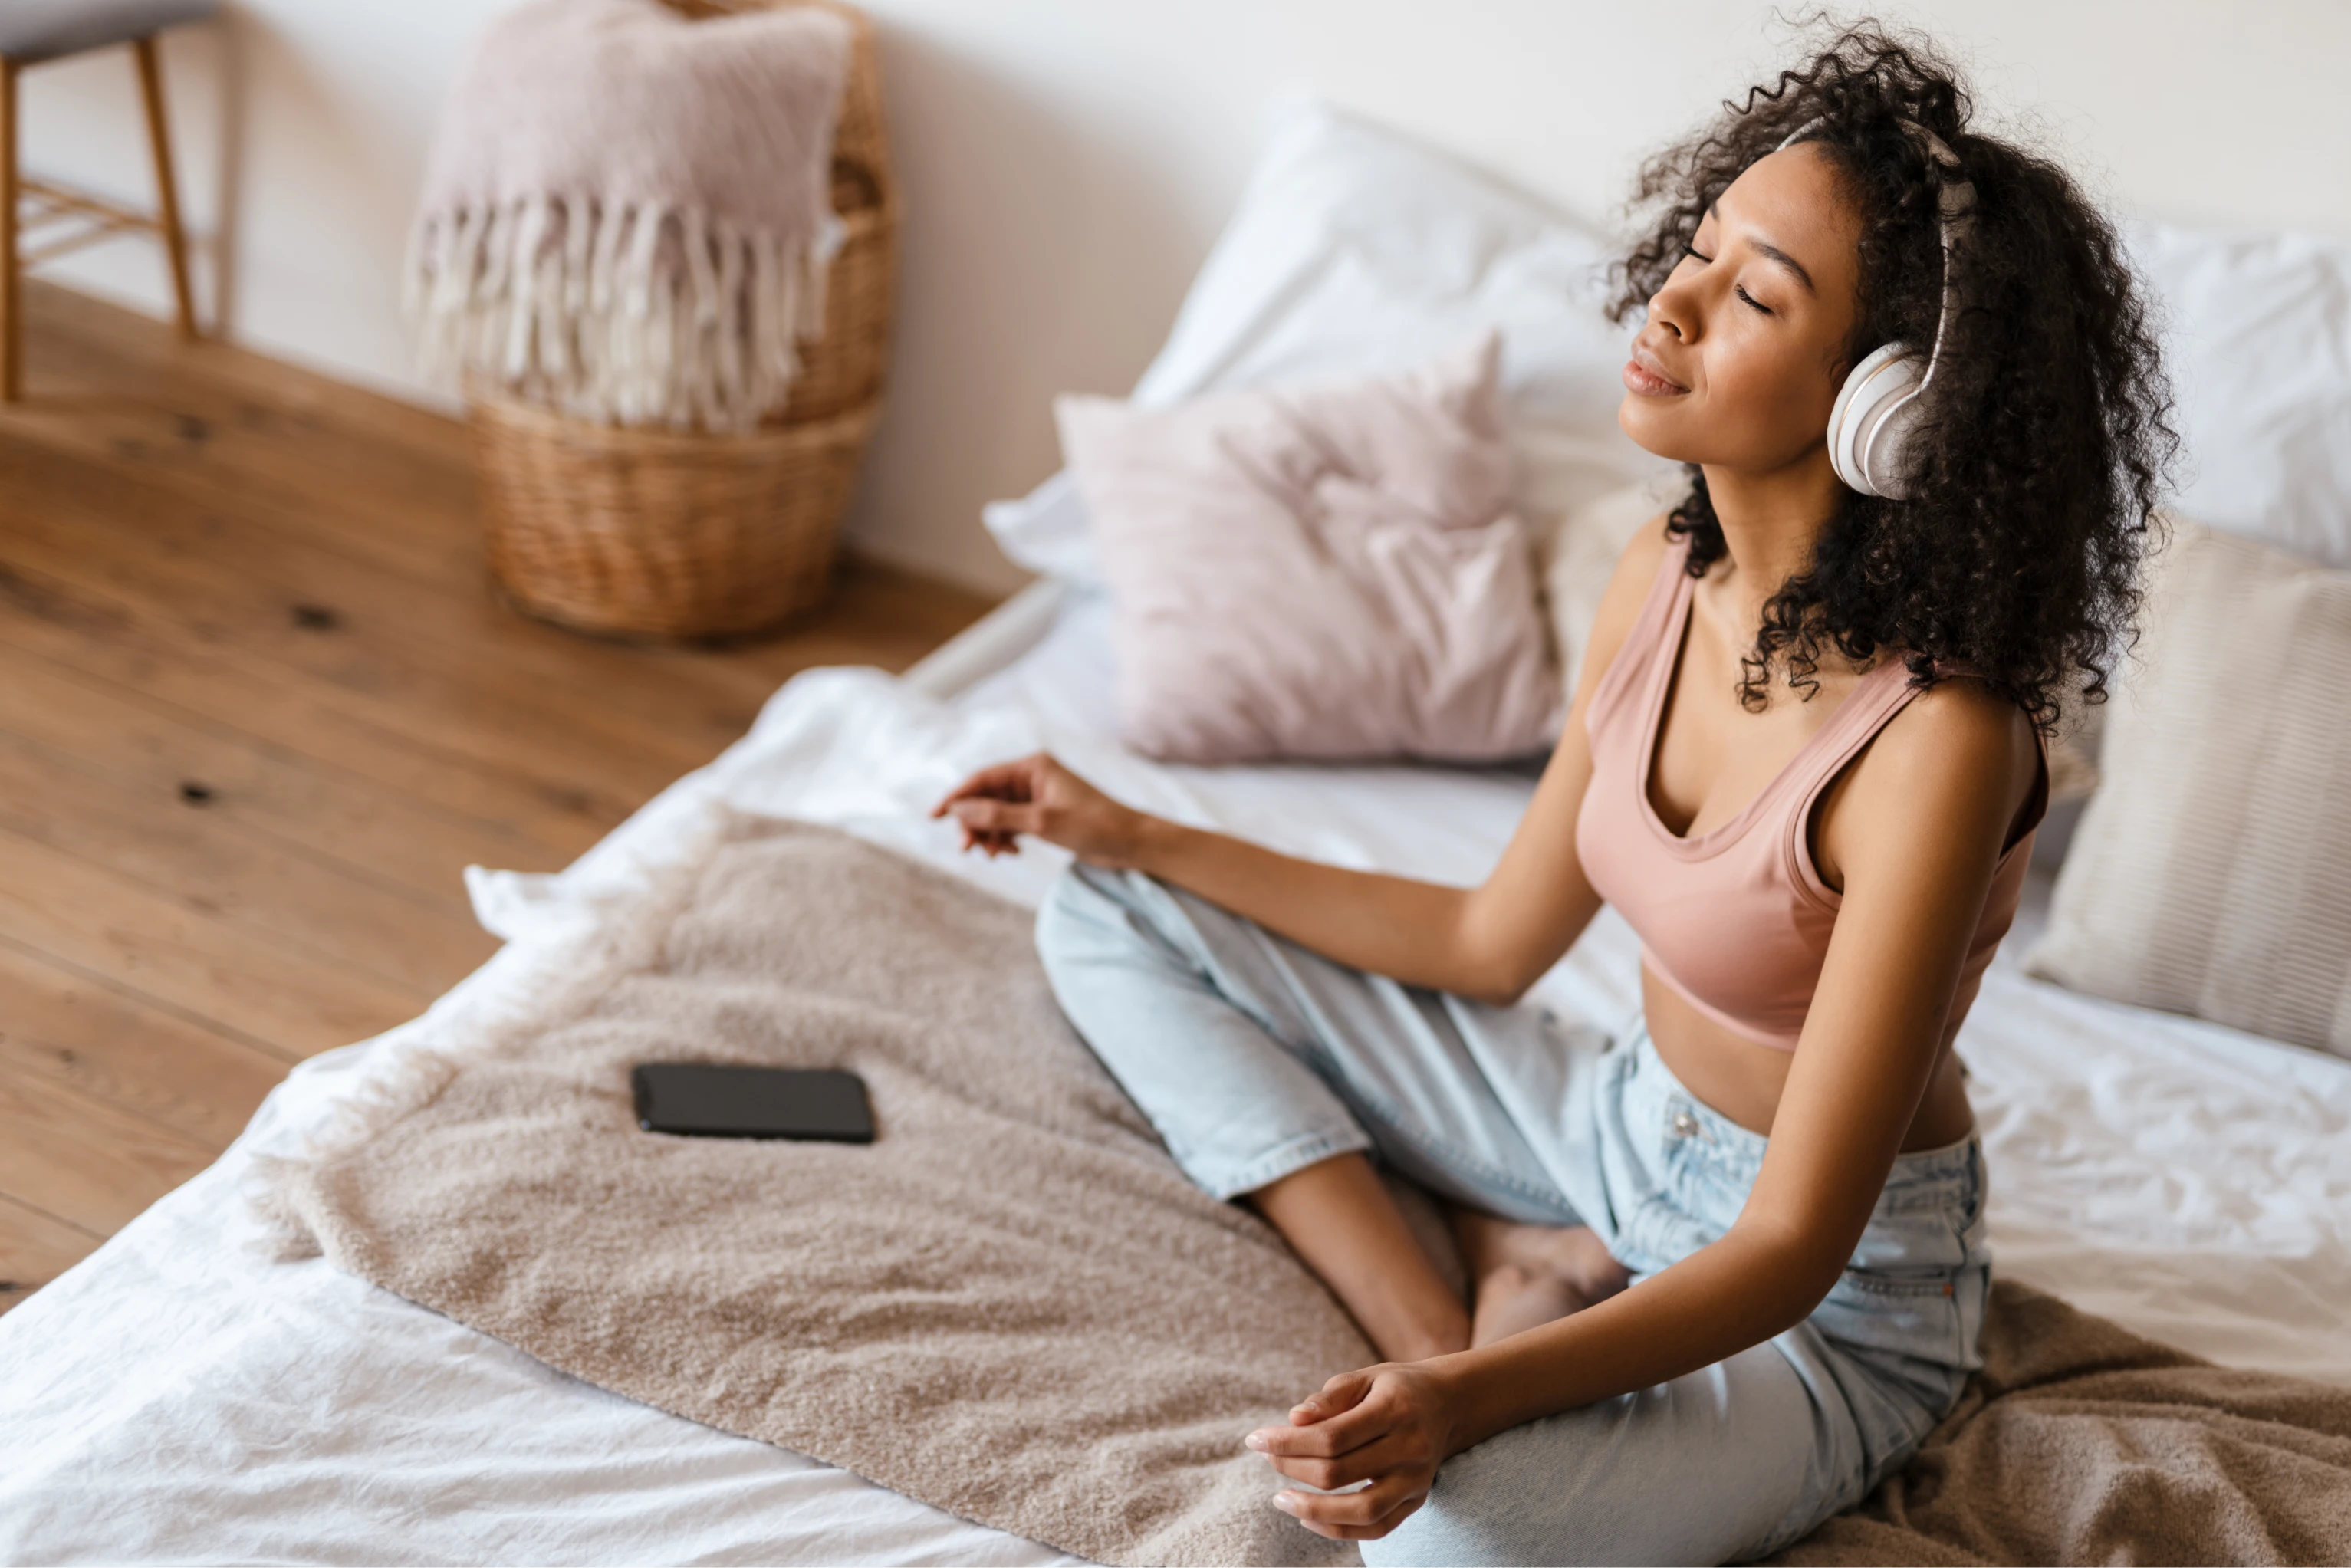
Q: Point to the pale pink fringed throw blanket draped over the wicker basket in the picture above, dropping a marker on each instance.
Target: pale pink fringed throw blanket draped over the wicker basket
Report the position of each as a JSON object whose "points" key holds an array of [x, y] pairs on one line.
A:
{"points": [[629, 215]]}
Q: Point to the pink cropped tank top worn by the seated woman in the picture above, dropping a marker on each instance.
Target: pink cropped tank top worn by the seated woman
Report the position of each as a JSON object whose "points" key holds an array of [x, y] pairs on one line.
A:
{"points": [[1739, 918]]}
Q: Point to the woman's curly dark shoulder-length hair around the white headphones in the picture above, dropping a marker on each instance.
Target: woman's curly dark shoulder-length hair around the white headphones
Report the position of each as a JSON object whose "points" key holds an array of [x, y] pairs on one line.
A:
{"points": [[2044, 441]]}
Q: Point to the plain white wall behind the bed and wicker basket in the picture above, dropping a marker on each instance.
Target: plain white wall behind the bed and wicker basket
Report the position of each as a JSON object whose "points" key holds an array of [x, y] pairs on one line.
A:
{"points": [[1066, 163]]}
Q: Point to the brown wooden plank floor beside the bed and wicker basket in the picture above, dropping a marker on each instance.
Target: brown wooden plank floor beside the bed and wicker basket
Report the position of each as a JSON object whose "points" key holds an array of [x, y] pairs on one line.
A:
{"points": [[257, 711]]}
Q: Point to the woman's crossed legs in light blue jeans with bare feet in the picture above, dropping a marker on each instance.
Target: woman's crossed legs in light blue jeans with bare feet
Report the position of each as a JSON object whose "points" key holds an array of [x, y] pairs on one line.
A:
{"points": [[1273, 1076]]}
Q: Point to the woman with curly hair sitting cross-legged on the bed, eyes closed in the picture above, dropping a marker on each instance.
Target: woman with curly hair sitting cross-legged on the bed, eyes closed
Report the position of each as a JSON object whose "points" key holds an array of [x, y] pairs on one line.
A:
{"points": [[1807, 763]]}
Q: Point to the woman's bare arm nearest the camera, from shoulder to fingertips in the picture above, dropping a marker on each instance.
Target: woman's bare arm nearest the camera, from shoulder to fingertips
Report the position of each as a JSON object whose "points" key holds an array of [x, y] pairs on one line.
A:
{"points": [[1920, 833]]}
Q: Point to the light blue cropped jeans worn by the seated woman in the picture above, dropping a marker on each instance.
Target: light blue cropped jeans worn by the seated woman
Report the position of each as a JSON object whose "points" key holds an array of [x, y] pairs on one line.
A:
{"points": [[1257, 1059]]}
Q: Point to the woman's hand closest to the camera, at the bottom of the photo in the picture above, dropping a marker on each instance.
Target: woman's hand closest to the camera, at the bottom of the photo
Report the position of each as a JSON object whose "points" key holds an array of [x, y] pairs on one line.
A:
{"points": [[1391, 1426]]}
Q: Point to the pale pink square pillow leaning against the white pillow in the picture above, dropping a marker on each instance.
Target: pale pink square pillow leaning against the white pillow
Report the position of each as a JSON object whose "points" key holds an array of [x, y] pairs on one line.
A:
{"points": [[1322, 572]]}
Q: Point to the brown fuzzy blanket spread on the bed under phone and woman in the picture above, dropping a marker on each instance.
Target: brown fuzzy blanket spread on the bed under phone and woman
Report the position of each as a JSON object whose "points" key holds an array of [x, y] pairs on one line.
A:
{"points": [[1014, 1306]]}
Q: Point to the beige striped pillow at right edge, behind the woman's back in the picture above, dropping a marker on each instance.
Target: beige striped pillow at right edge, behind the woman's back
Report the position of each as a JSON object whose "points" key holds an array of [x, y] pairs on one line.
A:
{"points": [[2211, 873]]}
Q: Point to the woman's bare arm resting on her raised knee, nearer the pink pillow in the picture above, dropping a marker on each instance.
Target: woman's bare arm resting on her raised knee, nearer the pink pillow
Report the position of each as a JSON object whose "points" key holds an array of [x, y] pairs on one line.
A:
{"points": [[1489, 942]]}
